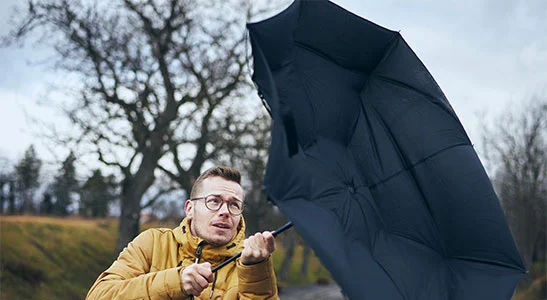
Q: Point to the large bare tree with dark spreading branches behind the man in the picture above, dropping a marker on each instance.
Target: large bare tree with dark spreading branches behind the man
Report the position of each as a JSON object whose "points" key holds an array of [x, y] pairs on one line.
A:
{"points": [[156, 80]]}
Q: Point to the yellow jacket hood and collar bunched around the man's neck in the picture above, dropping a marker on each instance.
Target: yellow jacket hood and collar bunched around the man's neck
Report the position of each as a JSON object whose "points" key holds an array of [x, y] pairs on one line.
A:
{"points": [[212, 254]]}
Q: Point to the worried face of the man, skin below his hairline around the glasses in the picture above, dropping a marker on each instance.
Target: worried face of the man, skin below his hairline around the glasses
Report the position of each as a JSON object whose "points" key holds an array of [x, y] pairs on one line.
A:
{"points": [[214, 227]]}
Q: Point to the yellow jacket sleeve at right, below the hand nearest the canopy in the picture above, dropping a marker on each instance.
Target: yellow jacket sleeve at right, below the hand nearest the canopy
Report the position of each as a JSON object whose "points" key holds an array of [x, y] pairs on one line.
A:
{"points": [[257, 281]]}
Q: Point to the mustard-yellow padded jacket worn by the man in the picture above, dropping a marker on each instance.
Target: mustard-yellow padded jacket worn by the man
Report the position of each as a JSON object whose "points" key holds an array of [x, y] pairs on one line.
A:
{"points": [[150, 267]]}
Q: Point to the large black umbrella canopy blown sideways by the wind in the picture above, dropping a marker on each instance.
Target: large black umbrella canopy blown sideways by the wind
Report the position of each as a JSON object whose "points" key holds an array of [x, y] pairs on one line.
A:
{"points": [[370, 162]]}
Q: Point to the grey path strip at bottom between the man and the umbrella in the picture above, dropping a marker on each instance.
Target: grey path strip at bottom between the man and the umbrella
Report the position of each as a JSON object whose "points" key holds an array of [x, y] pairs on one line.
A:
{"points": [[311, 292]]}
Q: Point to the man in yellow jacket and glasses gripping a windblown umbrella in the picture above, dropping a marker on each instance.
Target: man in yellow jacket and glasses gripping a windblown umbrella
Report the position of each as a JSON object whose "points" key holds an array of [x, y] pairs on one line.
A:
{"points": [[177, 263]]}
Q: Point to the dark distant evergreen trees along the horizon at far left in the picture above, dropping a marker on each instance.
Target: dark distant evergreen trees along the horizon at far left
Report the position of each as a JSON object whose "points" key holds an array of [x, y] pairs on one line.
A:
{"points": [[23, 191]]}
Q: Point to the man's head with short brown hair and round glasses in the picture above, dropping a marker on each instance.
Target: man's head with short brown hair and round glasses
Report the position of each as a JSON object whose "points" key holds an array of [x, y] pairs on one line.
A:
{"points": [[218, 185]]}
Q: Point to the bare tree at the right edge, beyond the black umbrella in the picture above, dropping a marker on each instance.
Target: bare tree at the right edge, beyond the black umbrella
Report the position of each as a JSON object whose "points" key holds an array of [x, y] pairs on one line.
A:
{"points": [[516, 145]]}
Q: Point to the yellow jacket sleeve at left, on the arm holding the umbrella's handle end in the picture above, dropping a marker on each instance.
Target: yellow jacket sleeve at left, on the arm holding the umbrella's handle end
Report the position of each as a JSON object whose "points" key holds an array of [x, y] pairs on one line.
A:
{"points": [[129, 277]]}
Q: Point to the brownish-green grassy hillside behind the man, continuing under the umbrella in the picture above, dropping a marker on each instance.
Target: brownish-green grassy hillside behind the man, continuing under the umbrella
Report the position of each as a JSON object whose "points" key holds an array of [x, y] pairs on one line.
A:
{"points": [[53, 258]]}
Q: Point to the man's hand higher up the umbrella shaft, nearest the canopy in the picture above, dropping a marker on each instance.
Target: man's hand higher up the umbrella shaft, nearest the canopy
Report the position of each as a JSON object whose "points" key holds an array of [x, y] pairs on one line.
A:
{"points": [[257, 248]]}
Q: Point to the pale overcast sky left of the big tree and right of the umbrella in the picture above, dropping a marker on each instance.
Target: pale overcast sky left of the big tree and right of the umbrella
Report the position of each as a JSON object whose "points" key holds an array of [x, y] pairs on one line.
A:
{"points": [[484, 54]]}
